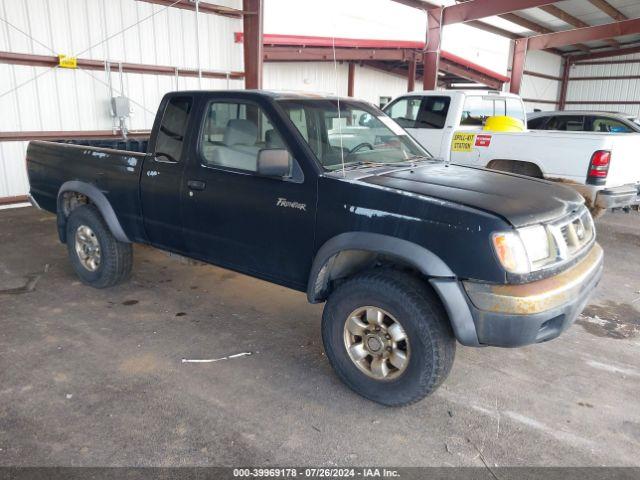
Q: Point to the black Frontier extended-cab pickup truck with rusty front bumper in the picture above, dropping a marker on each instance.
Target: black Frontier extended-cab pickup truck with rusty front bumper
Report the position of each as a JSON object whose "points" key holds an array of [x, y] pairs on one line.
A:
{"points": [[330, 197]]}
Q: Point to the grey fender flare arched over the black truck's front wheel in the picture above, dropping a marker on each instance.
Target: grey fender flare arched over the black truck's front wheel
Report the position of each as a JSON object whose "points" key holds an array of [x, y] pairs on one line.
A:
{"points": [[439, 275]]}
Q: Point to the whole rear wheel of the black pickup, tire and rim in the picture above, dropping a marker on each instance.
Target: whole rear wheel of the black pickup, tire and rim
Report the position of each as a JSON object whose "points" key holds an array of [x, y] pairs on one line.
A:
{"points": [[96, 256]]}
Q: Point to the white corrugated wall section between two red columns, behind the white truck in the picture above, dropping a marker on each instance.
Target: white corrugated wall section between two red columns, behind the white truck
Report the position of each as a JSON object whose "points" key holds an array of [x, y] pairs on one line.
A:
{"points": [[541, 88]]}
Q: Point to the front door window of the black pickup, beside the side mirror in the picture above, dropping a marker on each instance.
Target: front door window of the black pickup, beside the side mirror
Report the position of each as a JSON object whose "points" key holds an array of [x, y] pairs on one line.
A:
{"points": [[234, 134]]}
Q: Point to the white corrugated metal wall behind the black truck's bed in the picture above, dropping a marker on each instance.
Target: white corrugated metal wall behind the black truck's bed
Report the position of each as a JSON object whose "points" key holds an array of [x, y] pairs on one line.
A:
{"points": [[78, 99]]}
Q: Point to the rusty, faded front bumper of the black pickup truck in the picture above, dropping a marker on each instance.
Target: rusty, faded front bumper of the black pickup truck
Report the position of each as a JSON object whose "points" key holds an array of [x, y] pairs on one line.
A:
{"points": [[517, 315]]}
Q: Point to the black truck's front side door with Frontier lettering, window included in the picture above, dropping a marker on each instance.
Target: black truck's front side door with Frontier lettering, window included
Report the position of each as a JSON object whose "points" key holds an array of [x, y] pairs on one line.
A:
{"points": [[236, 217]]}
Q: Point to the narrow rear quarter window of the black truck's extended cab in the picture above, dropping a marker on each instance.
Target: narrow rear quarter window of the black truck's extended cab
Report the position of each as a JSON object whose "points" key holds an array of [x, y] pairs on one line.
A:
{"points": [[172, 128]]}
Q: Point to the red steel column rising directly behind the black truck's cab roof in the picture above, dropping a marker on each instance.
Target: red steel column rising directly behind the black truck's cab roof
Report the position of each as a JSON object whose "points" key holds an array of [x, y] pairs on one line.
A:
{"points": [[252, 40]]}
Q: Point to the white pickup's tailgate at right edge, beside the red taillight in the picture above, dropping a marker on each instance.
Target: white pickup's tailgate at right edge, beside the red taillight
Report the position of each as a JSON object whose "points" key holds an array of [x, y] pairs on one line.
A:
{"points": [[625, 159]]}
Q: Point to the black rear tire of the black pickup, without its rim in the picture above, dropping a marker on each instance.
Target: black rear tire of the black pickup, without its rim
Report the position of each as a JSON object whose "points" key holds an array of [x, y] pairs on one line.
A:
{"points": [[116, 258]]}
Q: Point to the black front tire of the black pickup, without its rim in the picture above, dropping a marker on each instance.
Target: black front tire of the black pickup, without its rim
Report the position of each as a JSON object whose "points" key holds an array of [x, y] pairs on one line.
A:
{"points": [[421, 314]]}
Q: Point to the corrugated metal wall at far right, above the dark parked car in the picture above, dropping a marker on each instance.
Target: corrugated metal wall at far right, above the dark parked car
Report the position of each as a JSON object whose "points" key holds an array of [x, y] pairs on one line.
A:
{"points": [[613, 89]]}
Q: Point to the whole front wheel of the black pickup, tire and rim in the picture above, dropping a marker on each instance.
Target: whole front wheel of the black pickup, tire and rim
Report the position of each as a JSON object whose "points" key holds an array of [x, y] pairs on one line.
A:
{"points": [[388, 338]]}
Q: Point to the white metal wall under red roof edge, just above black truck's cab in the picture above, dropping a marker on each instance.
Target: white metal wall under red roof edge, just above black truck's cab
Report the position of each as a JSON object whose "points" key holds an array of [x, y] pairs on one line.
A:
{"points": [[370, 84]]}
